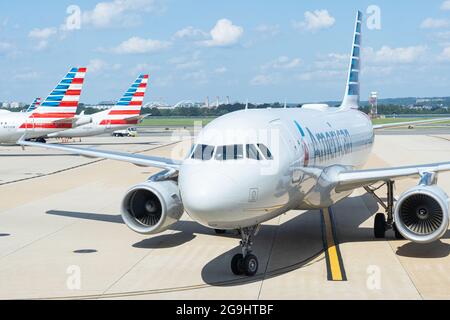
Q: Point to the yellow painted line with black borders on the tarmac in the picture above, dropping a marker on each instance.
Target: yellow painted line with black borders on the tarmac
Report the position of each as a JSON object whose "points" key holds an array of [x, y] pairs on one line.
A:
{"points": [[335, 264]]}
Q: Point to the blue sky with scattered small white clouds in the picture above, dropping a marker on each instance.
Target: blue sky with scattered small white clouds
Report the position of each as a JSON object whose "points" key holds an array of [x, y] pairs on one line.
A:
{"points": [[263, 51]]}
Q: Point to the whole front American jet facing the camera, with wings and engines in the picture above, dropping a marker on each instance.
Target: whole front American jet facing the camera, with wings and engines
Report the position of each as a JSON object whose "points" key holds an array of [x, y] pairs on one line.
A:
{"points": [[251, 166]]}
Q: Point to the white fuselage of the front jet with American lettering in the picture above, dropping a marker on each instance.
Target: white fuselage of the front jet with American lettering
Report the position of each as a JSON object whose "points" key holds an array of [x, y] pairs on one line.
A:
{"points": [[308, 146]]}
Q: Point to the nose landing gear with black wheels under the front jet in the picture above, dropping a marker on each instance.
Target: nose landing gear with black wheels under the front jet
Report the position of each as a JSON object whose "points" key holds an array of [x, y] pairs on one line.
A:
{"points": [[246, 263]]}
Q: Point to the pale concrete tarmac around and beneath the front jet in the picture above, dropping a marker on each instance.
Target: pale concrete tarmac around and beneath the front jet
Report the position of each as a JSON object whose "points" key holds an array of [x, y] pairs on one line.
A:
{"points": [[62, 237]]}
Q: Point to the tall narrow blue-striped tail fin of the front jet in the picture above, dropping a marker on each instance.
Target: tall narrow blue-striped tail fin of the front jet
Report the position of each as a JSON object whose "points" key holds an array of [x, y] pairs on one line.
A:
{"points": [[352, 93]]}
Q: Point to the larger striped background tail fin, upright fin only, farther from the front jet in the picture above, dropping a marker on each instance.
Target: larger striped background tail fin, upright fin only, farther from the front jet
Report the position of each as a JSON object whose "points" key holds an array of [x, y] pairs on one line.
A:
{"points": [[63, 100]]}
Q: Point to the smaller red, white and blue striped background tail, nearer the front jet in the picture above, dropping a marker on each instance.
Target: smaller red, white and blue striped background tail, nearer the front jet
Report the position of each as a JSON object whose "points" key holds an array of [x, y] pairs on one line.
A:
{"points": [[128, 109]]}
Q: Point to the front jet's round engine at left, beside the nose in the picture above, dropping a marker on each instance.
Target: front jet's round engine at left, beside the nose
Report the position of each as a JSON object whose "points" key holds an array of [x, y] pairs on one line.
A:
{"points": [[152, 207]]}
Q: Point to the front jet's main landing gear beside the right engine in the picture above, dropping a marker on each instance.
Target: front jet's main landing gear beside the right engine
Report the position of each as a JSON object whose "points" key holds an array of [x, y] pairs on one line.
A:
{"points": [[385, 221]]}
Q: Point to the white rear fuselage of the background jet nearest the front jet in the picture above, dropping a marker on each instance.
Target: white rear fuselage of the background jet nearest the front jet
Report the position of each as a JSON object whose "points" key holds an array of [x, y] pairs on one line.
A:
{"points": [[96, 127]]}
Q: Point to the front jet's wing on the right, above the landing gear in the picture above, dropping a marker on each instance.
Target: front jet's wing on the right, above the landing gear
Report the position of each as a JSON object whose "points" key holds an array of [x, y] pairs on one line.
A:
{"points": [[349, 180]]}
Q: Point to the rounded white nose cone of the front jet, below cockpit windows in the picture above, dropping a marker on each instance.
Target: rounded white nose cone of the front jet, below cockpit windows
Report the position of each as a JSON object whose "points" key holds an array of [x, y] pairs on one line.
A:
{"points": [[208, 196]]}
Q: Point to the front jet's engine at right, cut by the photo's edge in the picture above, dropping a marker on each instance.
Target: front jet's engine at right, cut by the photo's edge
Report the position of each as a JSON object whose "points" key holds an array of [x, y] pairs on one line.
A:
{"points": [[421, 214]]}
